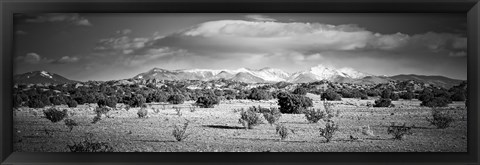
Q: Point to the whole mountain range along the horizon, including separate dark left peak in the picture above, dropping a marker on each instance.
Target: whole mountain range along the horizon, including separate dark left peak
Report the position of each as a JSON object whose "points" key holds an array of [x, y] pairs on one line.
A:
{"points": [[264, 75]]}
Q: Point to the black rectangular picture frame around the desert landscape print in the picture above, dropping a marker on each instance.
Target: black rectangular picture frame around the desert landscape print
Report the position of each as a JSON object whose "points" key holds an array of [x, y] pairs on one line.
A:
{"points": [[471, 9]]}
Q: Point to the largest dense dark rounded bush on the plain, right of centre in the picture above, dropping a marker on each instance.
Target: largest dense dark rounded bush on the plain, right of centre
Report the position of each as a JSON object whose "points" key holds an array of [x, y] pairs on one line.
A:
{"points": [[291, 103]]}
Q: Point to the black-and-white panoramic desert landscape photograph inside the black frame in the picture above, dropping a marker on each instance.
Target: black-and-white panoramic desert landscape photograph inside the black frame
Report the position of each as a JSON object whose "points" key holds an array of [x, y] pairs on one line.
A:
{"points": [[240, 82]]}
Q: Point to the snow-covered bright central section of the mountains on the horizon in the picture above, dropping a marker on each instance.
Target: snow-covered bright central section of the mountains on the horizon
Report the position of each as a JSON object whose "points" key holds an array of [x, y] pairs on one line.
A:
{"points": [[266, 74]]}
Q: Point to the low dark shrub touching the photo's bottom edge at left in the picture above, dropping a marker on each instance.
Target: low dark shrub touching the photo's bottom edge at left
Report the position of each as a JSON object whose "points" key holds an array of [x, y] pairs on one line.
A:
{"points": [[88, 146]]}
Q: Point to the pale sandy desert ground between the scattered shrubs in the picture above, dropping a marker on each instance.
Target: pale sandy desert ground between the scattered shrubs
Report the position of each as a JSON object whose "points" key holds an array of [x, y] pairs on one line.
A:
{"points": [[217, 129]]}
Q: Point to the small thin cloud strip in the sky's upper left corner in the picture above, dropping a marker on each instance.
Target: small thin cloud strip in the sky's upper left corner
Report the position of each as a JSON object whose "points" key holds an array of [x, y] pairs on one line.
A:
{"points": [[73, 18]]}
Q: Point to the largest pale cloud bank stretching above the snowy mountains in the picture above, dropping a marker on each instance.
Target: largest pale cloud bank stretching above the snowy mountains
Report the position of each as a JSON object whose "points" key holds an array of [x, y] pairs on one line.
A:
{"points": [[252, 42]]}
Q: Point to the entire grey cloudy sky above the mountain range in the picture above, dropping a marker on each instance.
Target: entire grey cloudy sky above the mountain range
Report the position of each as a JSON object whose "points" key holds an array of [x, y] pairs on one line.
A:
{"points": [[104, 46]]}
